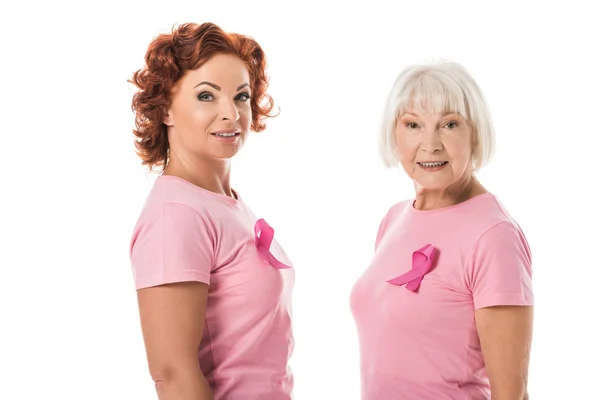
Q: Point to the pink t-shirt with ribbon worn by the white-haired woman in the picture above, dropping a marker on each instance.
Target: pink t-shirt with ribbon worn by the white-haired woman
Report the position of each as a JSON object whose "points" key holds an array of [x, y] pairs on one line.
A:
{"points": [[418, 338]]}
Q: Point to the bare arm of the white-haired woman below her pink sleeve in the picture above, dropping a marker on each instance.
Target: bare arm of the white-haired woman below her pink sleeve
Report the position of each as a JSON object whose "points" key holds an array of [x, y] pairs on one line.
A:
{"points": [[505, 335]]}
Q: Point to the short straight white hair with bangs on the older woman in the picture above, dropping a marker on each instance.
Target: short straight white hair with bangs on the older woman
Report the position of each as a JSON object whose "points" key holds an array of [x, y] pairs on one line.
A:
{"points": [[437, 87]]}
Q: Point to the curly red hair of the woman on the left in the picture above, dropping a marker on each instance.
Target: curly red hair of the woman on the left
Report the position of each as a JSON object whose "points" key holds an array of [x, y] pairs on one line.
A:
{"points": [[168, 58]]}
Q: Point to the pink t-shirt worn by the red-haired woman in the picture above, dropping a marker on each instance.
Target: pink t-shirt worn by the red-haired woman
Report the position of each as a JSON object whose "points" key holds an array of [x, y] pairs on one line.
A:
{"points": [[186, 233]]}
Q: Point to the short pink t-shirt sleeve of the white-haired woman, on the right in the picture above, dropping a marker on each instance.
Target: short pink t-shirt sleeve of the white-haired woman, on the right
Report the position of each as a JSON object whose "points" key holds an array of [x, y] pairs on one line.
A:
{"points": [[499, 271]]}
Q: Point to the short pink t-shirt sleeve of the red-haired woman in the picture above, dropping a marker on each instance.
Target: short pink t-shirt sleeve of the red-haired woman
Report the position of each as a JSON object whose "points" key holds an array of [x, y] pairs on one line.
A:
{"points": [[171, 244]]}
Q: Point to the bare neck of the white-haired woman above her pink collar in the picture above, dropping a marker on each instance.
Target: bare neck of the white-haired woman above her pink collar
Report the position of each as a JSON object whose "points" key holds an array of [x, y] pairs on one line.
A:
{"points": [[462, 190]]}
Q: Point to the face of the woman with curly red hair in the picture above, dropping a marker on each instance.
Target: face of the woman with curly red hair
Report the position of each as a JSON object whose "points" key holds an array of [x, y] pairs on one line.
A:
{"points": [[210, 114]]}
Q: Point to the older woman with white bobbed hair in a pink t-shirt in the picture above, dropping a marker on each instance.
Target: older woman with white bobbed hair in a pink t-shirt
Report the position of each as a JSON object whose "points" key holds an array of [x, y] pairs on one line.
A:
{"points": [[445, 309]]}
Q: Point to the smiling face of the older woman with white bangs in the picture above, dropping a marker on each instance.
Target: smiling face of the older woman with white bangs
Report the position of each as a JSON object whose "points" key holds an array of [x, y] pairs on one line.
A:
{"points": [[434, 149]]}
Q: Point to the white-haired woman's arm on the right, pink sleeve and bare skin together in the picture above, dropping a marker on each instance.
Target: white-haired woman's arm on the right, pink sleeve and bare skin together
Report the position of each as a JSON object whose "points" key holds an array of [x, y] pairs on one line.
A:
{"points": [[500, 279]]}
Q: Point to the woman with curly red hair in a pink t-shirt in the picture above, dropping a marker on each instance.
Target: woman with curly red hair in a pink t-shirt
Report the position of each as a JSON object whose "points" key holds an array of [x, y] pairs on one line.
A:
{"points": [[213, 287]]}
